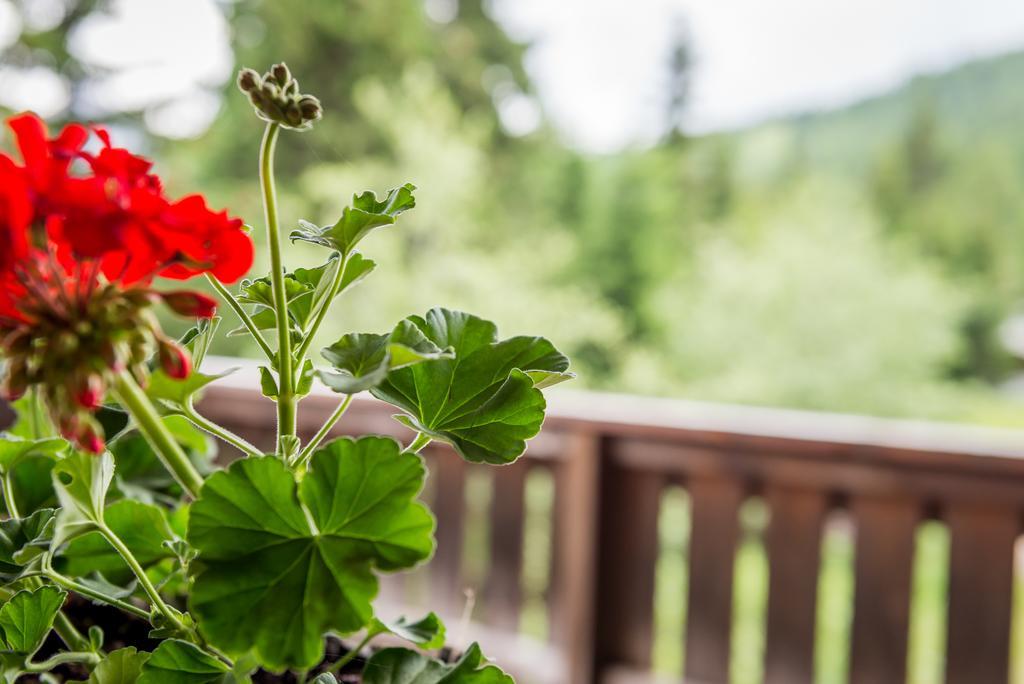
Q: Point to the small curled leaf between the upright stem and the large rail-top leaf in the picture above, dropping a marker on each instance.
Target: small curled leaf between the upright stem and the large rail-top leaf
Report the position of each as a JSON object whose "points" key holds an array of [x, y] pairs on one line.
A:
{"points": [[364, 360]]}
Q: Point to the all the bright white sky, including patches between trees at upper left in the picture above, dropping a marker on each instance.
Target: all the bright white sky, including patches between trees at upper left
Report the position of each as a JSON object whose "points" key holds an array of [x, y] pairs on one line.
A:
{"points": [[599, 65]]}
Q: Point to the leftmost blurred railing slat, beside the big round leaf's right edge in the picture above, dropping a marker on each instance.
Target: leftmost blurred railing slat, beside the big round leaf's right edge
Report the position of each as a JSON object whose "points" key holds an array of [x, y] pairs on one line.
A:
{"points": [[449, 505]]}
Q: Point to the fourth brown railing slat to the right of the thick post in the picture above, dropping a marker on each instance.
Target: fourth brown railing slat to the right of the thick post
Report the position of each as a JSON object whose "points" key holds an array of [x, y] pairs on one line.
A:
{"points": [[882, 595]]}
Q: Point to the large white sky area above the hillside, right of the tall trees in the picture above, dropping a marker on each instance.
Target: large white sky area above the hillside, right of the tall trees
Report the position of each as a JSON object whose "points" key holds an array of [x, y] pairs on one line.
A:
{"points": [[600, 65]]}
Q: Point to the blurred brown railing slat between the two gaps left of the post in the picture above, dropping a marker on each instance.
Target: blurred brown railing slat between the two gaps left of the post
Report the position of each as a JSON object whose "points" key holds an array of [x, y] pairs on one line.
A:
{"points": [[503, 592]]}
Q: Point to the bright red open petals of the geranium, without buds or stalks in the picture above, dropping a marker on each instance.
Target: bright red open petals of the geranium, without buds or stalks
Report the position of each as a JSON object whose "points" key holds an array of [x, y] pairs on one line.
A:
{"points": [[115, 213]]}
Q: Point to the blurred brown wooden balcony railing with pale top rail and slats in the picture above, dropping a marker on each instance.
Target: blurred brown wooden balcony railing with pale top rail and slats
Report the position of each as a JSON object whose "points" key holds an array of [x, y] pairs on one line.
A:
{"points": [[611, 459]]}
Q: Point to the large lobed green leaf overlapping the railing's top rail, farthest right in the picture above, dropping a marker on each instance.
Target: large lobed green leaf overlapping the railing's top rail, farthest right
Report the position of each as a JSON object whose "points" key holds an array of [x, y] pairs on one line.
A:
{"points": [[486, 402]]}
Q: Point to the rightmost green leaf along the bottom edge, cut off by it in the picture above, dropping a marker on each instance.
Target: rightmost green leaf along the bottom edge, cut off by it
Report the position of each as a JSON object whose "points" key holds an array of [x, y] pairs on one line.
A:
{"points": [[401, 666]]}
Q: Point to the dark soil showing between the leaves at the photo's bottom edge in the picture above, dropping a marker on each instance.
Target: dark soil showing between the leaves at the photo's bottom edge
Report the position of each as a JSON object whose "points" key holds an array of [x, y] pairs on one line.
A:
{"points": [[121, 630]]}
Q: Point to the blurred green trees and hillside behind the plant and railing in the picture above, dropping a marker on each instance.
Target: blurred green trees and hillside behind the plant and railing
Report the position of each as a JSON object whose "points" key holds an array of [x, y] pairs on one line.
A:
{"points": [[858, 261]]}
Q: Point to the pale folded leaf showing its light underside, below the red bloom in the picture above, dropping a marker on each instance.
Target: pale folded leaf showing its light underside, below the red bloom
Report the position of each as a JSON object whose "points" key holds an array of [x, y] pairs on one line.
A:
{"points": [[81, 482]]}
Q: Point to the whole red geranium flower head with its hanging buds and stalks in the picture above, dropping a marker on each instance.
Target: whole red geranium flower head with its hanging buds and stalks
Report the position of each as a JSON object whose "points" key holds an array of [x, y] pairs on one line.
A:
{"points": [[82, 236]]}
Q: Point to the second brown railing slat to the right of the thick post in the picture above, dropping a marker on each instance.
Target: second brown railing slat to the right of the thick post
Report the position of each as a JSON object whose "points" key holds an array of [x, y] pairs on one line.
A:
{"points": [[715, 530]]}
